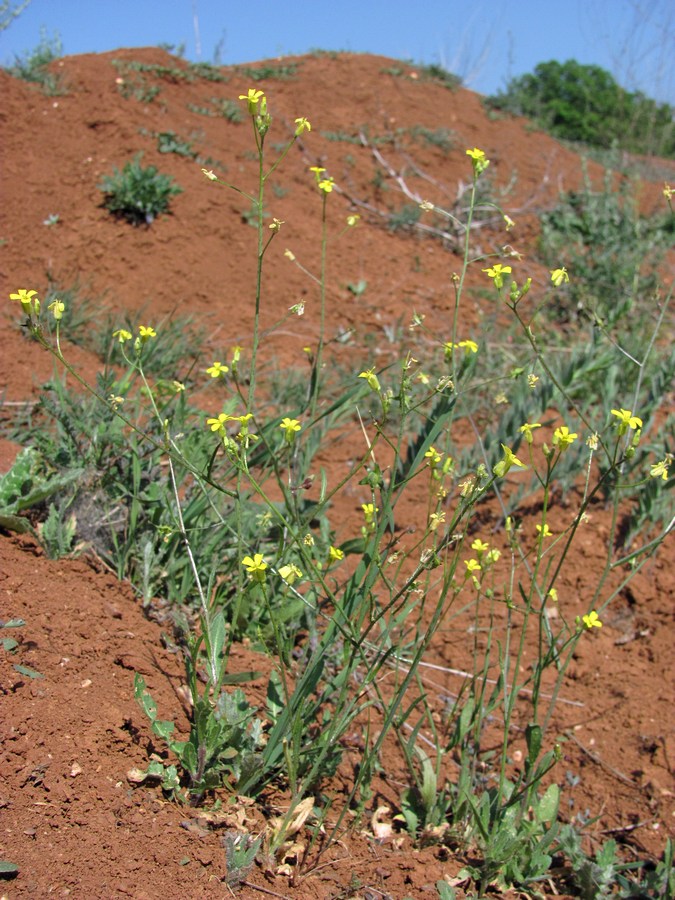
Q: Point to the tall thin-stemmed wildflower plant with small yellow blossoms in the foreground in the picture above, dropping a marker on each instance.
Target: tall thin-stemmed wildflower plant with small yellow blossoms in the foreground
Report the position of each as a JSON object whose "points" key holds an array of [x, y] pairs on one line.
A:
{"points": [[350, 617]]}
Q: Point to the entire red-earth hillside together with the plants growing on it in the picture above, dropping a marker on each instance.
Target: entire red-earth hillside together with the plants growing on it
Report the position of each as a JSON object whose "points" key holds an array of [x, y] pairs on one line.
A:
{"points": [[390, 500]]}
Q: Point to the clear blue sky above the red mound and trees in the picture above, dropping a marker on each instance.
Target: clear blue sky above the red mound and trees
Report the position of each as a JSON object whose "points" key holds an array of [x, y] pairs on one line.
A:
{"points": [[486, 42]]}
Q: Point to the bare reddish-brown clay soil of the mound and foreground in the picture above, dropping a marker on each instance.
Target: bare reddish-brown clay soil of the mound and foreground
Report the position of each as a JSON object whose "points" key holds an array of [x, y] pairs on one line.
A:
{"points": [[70, 819]]}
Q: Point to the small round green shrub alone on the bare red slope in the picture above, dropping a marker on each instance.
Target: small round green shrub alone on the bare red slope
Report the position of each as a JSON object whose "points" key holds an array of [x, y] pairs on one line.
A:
{"points": [[138, 194]]}
